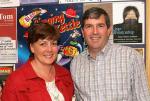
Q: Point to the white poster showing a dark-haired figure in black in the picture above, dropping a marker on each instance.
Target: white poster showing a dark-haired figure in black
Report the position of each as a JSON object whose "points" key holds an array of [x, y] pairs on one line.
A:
{"points": [[129, 24]]}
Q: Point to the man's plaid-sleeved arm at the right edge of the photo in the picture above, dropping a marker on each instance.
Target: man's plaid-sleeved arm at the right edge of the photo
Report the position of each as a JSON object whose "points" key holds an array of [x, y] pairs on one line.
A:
{"points": [[140, 84]]}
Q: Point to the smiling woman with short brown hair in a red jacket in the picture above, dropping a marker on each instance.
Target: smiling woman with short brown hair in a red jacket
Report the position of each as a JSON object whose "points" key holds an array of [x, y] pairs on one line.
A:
{"points": [[40, 78]]}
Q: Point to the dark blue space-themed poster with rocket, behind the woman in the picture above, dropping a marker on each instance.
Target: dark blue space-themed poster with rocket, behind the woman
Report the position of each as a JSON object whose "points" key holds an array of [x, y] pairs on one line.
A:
{"points": [[66, 17]]}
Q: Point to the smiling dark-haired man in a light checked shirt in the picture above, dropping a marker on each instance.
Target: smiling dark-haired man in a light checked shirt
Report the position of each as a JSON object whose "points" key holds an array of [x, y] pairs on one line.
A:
{"points": [[105, 71]]}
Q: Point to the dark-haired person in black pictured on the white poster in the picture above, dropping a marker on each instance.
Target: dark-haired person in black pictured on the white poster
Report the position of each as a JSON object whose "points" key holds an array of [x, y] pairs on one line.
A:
{"points": [[130, 31]]}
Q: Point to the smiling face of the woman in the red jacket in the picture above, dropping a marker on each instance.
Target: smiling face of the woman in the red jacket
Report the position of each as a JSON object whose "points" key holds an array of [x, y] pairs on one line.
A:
{"points": [[45, 51]]}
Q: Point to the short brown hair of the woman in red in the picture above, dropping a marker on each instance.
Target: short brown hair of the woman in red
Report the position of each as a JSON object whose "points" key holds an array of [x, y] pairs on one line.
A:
{"points": [[41, 31]]}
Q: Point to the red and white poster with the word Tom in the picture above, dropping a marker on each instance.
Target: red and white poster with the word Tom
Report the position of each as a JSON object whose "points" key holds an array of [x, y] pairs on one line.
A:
{"points": [[8, 35]]}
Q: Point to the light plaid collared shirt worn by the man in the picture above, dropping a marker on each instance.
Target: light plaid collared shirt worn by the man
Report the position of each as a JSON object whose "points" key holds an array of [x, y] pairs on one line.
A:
{"points": [[117, 74]]}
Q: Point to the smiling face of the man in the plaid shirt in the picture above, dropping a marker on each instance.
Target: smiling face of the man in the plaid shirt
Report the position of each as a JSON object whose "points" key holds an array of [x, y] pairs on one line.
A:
{"points": [[96, 33]]}
